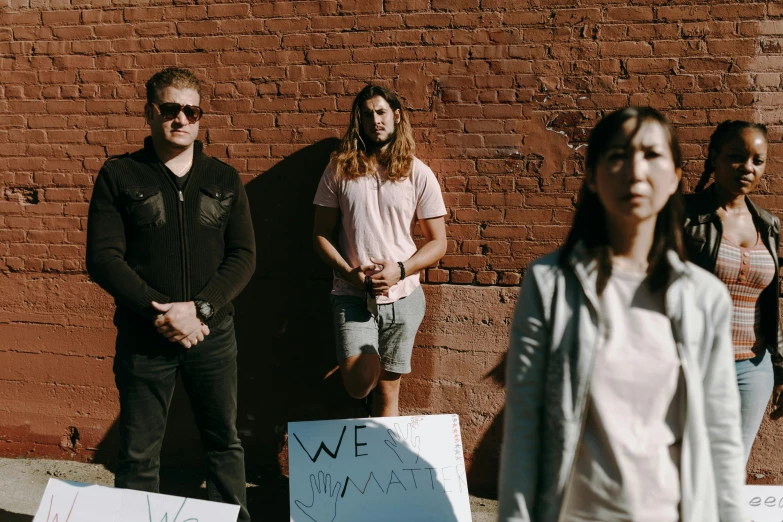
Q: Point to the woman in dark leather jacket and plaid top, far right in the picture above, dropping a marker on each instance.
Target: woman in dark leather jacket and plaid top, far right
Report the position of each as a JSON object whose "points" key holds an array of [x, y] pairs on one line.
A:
{"points": [[732, 237]]}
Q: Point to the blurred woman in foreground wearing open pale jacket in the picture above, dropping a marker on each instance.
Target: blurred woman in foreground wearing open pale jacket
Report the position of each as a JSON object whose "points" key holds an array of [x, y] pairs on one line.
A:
{"points": [[621, 401]]}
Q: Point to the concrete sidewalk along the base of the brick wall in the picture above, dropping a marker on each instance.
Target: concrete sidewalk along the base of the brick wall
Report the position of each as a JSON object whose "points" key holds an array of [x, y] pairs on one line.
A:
{"points": [[23, 481]]}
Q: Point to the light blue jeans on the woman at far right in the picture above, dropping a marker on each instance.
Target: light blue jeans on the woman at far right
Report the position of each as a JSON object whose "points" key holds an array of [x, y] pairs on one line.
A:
{"points": [[755, 380]]}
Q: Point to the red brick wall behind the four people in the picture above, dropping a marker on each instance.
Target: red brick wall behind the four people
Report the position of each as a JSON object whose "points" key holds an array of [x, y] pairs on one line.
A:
{"points": [[502, 93]]}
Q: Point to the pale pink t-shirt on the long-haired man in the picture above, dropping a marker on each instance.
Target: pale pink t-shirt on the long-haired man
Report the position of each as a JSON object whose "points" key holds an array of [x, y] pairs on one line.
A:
{"points": [[378, 216]]}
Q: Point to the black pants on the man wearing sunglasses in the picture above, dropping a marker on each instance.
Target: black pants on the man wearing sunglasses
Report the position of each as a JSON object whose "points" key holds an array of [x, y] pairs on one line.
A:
{"points": [[145, 371]]}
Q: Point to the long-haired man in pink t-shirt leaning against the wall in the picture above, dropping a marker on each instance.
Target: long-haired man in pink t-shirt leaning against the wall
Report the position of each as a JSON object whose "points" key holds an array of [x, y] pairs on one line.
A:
{"points": [[371, 196]]}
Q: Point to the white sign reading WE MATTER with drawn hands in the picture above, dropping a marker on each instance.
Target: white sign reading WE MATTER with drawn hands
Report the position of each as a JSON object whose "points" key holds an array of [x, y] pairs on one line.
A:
{"points": [[379, 469]]}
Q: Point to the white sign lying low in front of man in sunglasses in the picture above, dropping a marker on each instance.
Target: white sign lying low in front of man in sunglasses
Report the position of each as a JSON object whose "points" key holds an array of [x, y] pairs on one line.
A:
{"points": [[76, 502]]}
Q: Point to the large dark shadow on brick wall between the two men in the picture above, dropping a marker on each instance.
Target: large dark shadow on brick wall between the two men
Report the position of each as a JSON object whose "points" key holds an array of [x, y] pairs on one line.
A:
{"points": [[283, 318]]}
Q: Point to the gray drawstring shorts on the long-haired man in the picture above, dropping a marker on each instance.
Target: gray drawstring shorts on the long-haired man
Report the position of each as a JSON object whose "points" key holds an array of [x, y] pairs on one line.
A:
{"points": [[390, 334]]}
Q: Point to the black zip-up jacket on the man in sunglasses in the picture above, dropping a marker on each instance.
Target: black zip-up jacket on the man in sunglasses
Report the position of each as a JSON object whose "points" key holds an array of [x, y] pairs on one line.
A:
{"points": [[148, 241]]}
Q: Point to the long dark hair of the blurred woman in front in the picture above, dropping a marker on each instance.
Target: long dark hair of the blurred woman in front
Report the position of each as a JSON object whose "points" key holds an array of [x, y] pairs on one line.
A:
{"points": [[590, 225]]}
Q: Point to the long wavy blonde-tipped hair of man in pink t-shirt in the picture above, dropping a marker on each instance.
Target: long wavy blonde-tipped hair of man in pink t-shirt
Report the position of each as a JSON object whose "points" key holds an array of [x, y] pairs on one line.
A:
{"points": [[354, 159]]}
